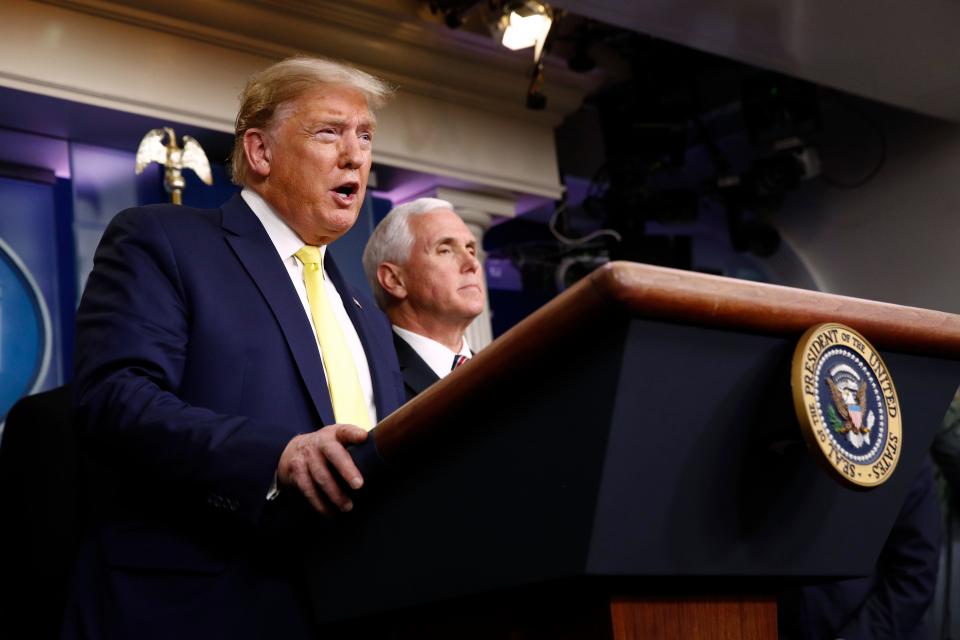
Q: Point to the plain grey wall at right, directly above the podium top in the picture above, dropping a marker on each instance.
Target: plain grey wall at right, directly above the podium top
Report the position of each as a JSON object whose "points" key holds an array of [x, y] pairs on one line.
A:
{"points": [[896, 238]]}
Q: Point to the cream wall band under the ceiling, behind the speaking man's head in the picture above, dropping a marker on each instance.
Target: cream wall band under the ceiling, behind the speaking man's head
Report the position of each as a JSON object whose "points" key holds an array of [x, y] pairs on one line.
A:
{"points": [[192, 74]]}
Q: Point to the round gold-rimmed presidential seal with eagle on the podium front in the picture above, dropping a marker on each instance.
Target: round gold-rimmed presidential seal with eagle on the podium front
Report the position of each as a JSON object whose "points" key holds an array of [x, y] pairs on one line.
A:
{"points": [[847, 406]]}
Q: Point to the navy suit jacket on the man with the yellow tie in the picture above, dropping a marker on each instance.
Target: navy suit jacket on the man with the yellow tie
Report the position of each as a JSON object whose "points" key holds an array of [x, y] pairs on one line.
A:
{"points": [[196, 364]]}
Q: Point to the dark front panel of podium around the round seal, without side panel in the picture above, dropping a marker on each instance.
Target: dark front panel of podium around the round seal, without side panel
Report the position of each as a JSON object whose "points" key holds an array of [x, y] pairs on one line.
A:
{"points": [[717, 481]]}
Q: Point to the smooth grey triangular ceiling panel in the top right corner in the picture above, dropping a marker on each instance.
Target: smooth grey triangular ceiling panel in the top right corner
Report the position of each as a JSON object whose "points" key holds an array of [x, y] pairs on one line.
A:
{"points": [[905, 54]]}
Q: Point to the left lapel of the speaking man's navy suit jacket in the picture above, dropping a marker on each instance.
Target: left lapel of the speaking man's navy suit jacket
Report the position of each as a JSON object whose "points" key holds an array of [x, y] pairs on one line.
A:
{"points": [[256, 252]]}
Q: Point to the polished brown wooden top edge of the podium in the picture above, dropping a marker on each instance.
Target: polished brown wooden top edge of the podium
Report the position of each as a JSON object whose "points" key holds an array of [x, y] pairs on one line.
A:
{"points": [[672, 295]]}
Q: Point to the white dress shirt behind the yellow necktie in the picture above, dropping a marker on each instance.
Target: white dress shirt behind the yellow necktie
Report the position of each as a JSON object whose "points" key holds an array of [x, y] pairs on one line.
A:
{"points": [[287, 243]]}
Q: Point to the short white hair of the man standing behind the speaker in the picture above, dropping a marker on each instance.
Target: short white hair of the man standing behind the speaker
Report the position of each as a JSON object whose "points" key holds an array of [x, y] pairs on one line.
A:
{"points": [[392, 241]]}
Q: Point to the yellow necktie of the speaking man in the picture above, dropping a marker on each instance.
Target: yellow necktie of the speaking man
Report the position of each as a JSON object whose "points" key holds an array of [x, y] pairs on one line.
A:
{"points": [[346, 395]]}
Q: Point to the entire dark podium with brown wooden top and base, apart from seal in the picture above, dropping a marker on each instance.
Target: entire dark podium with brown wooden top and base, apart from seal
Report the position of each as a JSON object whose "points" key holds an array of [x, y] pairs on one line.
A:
{"points": [[625, 463]]}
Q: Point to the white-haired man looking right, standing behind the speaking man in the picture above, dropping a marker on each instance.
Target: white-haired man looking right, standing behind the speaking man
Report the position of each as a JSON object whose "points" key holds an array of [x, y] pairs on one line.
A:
{"points": [[421, 262]]}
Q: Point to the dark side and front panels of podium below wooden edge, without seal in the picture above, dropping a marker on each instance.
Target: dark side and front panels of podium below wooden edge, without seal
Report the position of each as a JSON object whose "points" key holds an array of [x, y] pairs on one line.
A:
{"points": [[635, 452]]}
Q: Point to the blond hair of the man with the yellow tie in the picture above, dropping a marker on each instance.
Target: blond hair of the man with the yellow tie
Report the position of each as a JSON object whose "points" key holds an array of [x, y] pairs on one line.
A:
{"points": [[269, 90]]}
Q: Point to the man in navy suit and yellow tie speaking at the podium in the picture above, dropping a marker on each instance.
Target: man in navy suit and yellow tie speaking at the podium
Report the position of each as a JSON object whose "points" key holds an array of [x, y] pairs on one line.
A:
{"points": [[207, 381]]}
